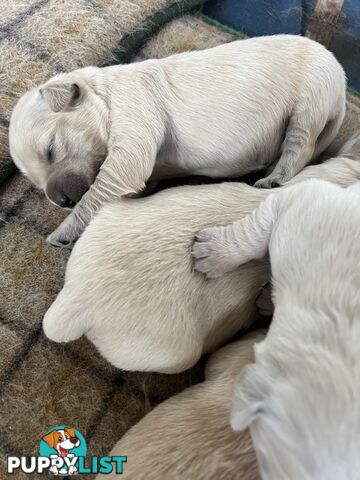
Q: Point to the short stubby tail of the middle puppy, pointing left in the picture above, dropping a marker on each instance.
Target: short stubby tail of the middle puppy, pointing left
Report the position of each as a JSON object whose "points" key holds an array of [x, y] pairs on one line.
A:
{"points": [[63, 322]]}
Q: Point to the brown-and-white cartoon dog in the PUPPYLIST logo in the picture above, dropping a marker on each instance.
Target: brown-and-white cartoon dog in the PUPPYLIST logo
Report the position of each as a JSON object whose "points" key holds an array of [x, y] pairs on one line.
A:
{"points": [[62, 440]]}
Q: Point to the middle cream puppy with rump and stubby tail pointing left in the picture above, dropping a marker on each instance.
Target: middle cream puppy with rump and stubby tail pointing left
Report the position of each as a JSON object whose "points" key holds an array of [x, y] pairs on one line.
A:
{"points": [[130, 286]]}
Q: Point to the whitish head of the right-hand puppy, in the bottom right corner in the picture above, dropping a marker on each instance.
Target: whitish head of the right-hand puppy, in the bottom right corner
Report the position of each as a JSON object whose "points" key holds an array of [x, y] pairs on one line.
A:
{"points": [[302, 425]]}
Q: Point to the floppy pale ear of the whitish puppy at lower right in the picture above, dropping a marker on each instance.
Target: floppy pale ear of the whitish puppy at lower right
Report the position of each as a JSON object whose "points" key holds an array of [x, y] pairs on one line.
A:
{"points": [[251, 397]]}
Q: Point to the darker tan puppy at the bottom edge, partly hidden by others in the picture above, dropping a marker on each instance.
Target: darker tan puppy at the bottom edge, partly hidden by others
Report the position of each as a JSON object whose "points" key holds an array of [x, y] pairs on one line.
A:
{"points": [[189, 436]]}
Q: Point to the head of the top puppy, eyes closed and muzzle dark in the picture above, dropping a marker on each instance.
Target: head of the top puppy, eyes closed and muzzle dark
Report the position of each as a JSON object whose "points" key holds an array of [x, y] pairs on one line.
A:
{"points": [[59, 133]]}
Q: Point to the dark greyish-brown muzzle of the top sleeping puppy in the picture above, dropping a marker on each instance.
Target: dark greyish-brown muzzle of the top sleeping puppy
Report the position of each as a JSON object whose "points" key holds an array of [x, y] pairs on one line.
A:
{"points": [[66, 190]]}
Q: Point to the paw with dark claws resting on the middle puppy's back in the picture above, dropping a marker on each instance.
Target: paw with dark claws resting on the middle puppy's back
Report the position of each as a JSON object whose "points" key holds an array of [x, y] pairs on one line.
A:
{"points": [[211, 253]]}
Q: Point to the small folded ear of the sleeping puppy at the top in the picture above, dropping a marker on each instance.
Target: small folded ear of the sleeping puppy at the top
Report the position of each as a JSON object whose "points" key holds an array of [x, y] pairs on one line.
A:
{"points": [[60, 96]]}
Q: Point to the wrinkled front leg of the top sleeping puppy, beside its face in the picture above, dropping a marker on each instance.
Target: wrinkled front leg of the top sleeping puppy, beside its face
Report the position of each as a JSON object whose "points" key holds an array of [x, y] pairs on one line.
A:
{"points": [[129, 163]]}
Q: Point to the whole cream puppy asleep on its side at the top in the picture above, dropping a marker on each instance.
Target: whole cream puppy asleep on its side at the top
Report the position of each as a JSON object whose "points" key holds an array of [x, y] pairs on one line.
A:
{"points": [[97, 134]]}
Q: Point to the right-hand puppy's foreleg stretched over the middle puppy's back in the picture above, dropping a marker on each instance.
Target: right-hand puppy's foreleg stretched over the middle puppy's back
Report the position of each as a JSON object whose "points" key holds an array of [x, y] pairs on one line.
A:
{"points": [[218, 250]]}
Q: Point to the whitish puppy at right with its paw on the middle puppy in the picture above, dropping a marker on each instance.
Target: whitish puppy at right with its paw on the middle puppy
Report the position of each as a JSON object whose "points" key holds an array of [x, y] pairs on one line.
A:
{"points": [[301, 398]]}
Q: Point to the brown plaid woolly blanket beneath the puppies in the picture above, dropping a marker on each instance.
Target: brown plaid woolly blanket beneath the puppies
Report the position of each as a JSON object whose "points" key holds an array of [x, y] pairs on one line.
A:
{"points": [[43, 384]]}
